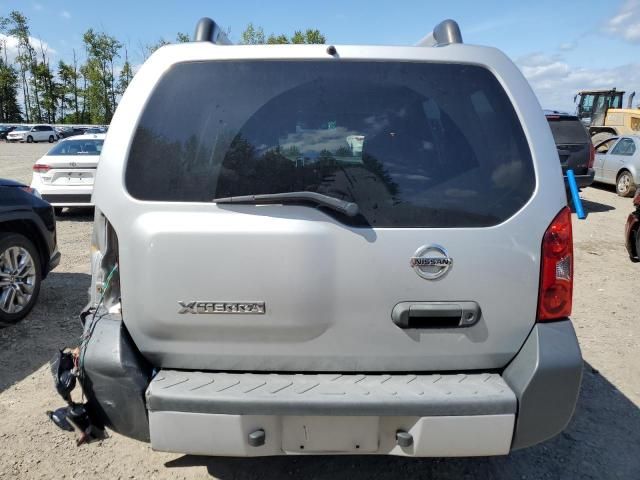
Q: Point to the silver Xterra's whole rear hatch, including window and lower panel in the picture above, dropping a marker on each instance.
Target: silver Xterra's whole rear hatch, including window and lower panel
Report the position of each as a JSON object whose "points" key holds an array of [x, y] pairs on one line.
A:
{"points": [[434, 156]]}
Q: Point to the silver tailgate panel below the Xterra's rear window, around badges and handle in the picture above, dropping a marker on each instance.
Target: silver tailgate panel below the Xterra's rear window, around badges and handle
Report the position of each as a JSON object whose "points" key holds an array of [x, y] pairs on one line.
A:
{"points": [[328, 290]]}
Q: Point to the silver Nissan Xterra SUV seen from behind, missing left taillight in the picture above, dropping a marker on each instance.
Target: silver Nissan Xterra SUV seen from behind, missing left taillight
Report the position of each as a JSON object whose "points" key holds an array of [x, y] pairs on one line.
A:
{"points": [[331, 249]]}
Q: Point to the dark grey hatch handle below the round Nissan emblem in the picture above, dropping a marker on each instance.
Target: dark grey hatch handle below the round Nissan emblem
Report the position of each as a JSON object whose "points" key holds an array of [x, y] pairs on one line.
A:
{"points": [[435, 314]]}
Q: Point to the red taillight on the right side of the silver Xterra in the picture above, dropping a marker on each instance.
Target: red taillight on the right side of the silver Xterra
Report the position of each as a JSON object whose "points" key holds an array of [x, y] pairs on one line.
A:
{"points": [[556, 273]]}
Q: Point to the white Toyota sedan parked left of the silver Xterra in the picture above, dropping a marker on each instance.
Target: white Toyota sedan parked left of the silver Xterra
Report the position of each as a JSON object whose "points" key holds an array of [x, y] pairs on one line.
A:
{"points": [[64, 176]]}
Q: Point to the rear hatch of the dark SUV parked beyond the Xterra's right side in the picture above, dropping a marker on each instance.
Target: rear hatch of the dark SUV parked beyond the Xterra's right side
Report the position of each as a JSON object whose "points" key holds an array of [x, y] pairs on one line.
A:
{"points": [[573, 143]]}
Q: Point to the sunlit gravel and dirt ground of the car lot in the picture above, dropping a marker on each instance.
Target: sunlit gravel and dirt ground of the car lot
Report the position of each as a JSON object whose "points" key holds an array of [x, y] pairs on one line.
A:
{"points": [[603, 440]]}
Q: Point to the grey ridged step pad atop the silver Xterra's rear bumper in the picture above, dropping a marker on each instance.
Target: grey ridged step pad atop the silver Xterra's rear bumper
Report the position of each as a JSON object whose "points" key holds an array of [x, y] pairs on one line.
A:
{"points": [[330, 394]]}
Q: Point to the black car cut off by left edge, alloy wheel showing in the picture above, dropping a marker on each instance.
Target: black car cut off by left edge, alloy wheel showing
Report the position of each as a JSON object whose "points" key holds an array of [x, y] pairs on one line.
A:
{"points": [[28, 249]]}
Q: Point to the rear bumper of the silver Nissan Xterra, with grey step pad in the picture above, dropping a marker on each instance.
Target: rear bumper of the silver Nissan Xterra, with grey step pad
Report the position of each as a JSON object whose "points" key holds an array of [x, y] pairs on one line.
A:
{"points": [[443, 415]]}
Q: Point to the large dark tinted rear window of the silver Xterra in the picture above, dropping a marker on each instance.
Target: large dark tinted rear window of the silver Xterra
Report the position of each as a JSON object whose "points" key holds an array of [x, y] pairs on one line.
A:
{"points": [[413, 144]]}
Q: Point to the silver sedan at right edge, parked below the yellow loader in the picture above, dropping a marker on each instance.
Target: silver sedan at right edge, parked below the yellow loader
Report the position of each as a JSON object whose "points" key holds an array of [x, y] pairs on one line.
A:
{"points": [[618, 163]]}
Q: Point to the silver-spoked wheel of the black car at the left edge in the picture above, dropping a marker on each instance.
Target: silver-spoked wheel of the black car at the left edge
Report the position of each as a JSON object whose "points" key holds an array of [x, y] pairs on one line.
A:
{"points": [[20, 277]]}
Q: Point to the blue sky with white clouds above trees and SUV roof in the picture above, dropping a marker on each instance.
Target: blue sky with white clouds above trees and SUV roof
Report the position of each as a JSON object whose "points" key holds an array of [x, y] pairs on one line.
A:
{"points": [[560, 46]]}
